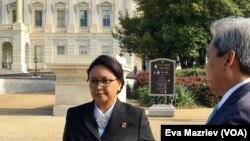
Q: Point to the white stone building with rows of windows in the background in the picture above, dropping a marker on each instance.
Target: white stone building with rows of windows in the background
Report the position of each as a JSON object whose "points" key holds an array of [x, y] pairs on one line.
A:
{"points": [[58, 31]]}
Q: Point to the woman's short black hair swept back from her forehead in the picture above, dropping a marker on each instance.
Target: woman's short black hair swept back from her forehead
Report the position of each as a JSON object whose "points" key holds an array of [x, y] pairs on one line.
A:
{"points": [[111, 63]]}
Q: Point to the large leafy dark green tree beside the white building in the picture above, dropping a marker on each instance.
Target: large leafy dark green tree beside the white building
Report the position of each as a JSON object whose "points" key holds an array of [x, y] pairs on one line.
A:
{"points": [[177, 30]]}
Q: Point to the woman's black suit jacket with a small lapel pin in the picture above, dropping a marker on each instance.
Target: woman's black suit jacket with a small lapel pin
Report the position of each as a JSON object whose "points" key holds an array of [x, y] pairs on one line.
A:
{"points": [[127, 123]]}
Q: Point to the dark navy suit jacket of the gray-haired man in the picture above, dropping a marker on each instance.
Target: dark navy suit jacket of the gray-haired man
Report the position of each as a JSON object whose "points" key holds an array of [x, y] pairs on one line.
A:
{"points": [[236, 109]]}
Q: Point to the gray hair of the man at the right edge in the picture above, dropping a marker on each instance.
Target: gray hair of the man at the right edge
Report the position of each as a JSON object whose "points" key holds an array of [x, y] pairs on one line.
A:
{"points": [[233, 33]]}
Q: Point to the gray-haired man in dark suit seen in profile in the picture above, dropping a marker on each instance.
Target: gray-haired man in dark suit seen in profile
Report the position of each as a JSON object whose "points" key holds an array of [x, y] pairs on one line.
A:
{"points": [[228, 70]]}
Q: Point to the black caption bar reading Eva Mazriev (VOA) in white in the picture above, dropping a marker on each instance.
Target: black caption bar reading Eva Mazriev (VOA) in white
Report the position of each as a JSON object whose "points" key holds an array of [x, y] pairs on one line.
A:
{"points": [[214, 131]]}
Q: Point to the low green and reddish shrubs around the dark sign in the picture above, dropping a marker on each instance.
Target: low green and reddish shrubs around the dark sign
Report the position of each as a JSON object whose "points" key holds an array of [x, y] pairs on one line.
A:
{"points": [[191, 90]]}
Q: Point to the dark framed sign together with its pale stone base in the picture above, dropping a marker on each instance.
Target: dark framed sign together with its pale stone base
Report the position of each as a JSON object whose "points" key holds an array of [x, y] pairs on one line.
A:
{"points": [[161, 83]]}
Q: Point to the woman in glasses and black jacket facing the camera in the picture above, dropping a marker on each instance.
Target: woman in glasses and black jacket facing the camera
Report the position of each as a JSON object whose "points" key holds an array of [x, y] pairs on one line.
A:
{"points": [[106, 118]]}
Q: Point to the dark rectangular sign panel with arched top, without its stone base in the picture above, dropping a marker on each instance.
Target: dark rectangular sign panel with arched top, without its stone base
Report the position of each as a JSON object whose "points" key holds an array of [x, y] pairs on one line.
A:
{"points": [[161, 77]]}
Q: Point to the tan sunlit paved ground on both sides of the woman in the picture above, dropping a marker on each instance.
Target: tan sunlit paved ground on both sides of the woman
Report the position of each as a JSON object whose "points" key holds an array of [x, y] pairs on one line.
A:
{"points": [[28, 117]]}
